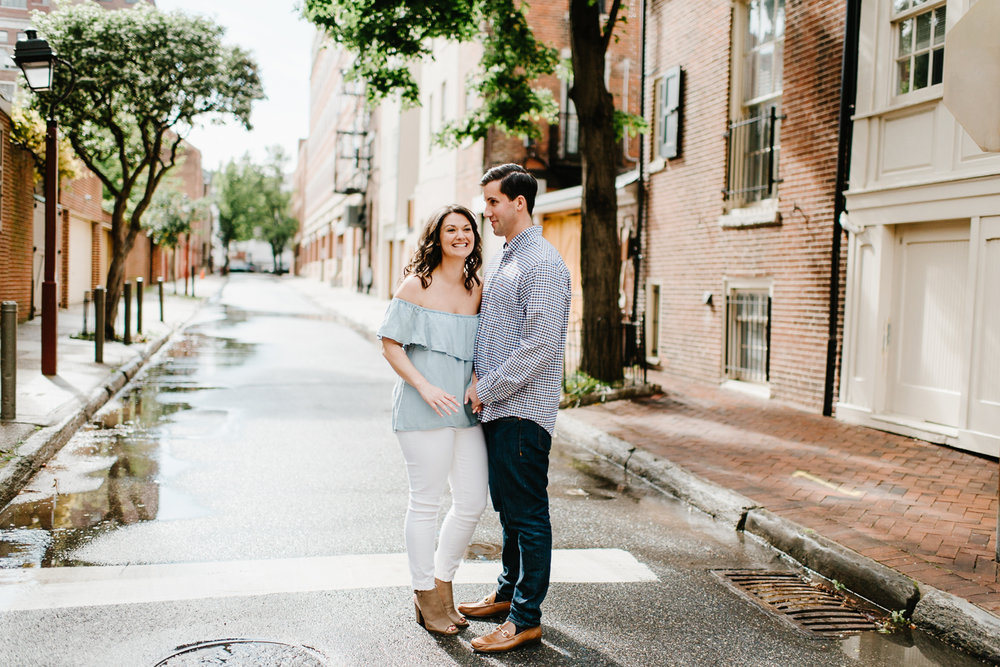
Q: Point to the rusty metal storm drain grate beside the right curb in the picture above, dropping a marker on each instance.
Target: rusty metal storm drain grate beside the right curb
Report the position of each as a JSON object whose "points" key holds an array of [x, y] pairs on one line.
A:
{"points": [[807, 607]]}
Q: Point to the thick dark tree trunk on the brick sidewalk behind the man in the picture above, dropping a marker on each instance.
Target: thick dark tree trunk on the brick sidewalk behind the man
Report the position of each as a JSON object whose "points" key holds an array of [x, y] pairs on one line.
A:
{"points": [[602, 352]]}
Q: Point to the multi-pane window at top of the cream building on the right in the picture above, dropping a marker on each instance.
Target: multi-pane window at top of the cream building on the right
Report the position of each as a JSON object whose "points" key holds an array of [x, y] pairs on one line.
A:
{"points": [[919, 34]]}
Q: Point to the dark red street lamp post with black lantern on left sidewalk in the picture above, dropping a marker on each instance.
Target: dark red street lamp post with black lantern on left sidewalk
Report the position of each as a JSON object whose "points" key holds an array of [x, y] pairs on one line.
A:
{"points": [[38, 62]]}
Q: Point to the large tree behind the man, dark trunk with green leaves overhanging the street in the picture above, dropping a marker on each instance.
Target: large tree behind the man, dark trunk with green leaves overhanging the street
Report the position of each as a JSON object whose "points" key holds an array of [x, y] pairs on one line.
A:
{"points": [[512, 60]]}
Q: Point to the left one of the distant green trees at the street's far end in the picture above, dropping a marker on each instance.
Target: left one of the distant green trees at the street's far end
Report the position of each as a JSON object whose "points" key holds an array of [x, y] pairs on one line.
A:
{"points": [[240, 201]]}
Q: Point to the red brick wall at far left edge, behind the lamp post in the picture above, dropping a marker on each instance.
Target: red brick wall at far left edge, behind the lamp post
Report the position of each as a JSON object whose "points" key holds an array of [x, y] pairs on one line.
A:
{"points": [[16, 222]]}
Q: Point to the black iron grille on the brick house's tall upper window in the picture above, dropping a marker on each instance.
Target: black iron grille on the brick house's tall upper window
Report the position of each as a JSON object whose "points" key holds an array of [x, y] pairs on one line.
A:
{"points": [[752, 157]]}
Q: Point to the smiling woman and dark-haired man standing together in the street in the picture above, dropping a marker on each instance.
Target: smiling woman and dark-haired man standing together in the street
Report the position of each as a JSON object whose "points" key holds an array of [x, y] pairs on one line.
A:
{"points": [[480, 367]]}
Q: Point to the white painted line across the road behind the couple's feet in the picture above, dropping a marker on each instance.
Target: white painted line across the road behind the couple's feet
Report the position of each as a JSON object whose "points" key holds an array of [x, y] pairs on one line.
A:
{"points": [[53, 588]]}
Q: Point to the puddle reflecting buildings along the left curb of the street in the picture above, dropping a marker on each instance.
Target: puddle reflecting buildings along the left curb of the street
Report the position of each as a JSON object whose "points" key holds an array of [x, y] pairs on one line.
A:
{"points": [[116, 471]]}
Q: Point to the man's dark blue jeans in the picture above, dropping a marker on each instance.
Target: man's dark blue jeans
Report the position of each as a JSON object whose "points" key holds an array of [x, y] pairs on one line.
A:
{"points": [[518, 456]]}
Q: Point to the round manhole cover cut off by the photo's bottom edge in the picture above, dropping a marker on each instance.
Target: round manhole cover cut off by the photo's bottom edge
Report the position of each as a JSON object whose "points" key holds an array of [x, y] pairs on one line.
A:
{"points": [[243, 653]]}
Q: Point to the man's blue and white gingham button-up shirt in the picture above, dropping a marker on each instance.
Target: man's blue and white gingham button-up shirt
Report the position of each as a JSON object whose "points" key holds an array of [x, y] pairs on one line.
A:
{"points": [[522, 331]]}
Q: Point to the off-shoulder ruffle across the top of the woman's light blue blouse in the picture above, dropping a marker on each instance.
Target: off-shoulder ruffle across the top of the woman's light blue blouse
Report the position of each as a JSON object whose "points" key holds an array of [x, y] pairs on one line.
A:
{"points": [[449, 333]]}
